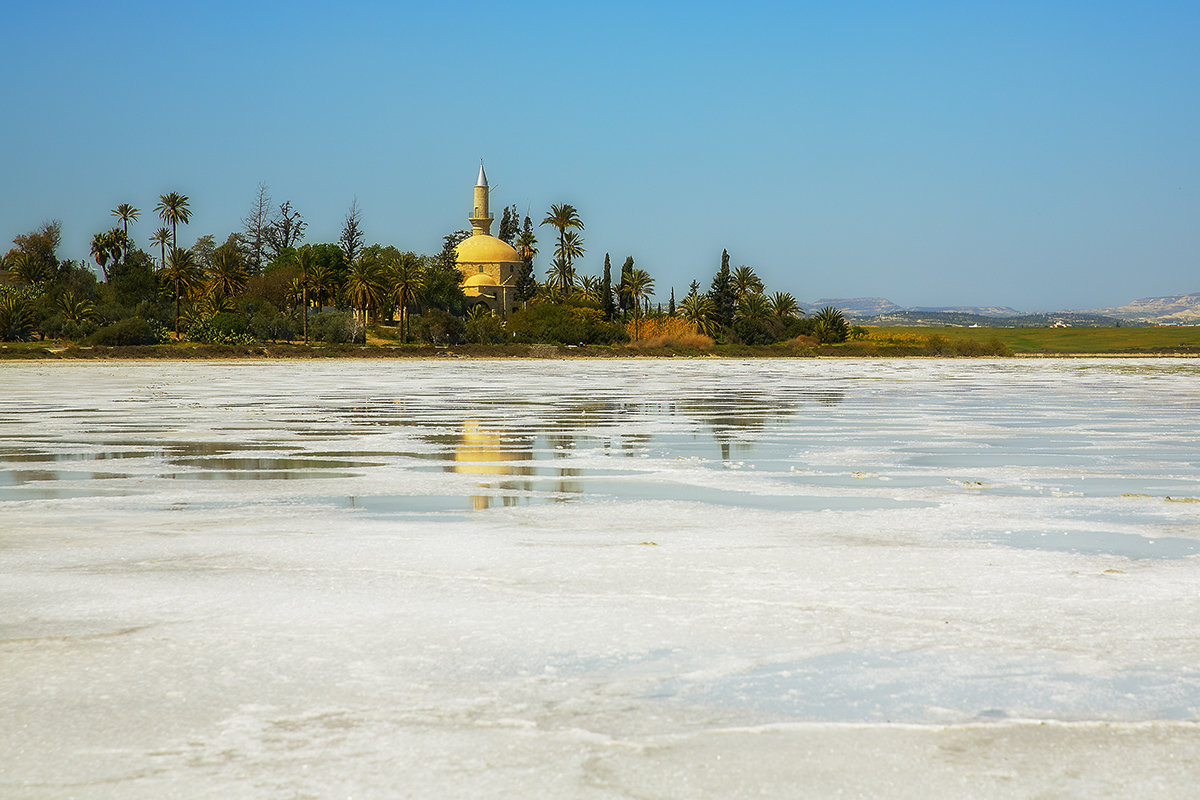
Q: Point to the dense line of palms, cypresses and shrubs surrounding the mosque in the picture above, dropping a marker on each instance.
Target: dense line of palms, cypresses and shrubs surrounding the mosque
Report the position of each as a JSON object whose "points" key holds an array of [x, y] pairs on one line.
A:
{"points": [[266, 284]]}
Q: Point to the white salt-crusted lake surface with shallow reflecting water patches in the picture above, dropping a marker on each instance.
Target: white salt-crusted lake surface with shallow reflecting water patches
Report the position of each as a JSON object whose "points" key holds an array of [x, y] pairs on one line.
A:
{"points": [[601, 580]]}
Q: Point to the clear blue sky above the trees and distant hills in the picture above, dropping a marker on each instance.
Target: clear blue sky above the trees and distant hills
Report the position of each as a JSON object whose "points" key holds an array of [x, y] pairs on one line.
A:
{"points": [[1039, 155]]}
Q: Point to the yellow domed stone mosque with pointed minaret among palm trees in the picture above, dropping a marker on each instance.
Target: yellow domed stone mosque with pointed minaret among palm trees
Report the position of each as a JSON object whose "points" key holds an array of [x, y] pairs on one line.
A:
{"points": [[489, 267]]}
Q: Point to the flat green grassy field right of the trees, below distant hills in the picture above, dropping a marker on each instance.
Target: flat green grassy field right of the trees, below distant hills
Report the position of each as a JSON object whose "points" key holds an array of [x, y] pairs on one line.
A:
{"points": [[1030, 341]]}
